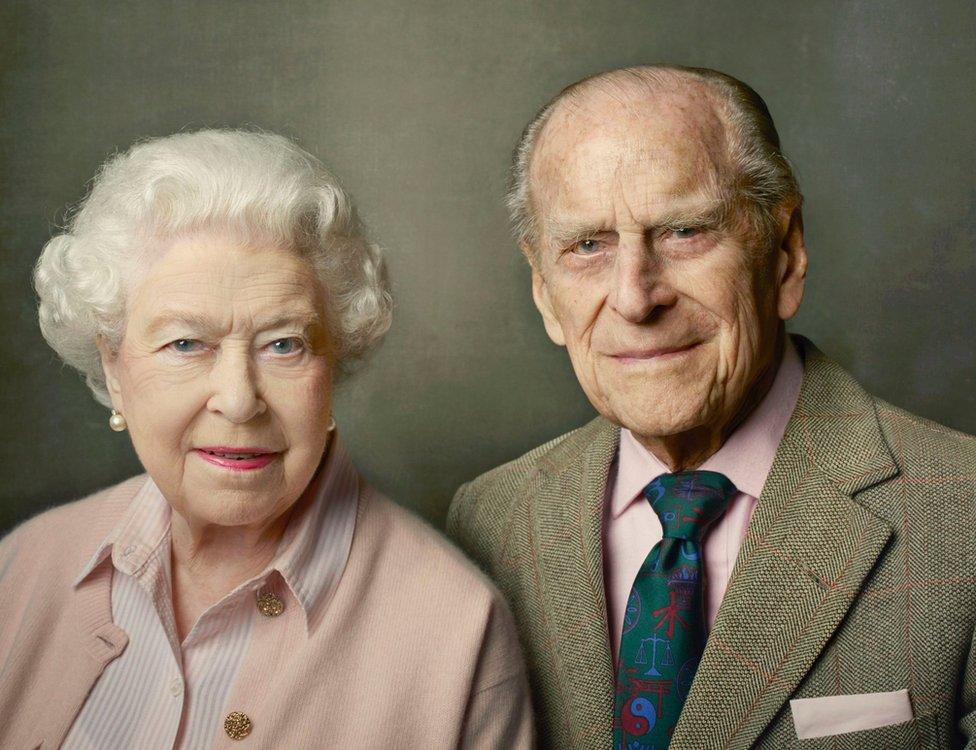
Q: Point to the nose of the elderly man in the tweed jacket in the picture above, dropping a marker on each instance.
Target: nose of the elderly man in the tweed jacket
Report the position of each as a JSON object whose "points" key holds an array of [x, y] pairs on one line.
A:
{"points": [[639, 287]]}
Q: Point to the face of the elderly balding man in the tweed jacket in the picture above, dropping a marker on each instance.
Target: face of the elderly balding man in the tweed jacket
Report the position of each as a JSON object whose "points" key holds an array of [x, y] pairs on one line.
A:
{"points": [[646, 270]]}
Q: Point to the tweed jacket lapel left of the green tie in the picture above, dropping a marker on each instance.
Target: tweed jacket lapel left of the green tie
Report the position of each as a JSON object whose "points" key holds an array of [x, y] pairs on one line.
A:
{"points": [[564, 520]]}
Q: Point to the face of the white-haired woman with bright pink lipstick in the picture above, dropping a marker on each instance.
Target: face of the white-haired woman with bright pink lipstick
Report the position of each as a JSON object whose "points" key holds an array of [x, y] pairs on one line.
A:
{"points": [[224, 376]]}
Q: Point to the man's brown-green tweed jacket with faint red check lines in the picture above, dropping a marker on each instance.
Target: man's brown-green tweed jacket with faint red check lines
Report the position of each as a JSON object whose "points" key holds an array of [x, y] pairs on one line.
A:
{"points": [[857, 575]]}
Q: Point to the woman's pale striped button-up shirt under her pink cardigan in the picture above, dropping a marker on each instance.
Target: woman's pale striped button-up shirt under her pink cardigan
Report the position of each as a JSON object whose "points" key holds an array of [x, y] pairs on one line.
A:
{"points": [[163, 693]]}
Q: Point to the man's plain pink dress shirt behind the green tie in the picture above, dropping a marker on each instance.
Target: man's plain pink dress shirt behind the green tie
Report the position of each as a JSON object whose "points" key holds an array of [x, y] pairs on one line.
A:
{"points": [[631, 528]]}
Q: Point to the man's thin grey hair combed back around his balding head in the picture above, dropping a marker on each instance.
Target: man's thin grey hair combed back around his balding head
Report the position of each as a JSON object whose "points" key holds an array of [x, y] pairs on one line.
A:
{"points": [[763, 177]]}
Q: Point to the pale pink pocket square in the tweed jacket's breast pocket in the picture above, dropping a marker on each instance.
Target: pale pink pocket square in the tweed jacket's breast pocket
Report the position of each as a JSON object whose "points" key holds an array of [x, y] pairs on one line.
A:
{"points": [[839, 714]]}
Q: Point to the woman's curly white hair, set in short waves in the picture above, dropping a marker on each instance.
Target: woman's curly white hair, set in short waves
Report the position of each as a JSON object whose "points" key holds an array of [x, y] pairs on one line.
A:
{"points": [[256, 187]]}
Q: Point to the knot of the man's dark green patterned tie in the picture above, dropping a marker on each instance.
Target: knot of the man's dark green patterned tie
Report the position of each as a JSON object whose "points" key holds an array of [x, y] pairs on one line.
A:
{"points": [[688, 502]]}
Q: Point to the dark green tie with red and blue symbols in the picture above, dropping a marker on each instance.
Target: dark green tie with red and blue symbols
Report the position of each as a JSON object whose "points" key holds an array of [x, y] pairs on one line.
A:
{"points": [[664, 625]]}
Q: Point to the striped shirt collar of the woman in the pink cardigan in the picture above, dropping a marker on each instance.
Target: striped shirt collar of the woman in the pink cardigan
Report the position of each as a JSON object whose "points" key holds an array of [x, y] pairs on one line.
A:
{"points": [[312, 553]]}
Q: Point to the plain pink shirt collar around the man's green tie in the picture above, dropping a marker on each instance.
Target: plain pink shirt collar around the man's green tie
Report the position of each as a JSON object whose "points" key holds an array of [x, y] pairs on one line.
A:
{"points": [[746, 456]]}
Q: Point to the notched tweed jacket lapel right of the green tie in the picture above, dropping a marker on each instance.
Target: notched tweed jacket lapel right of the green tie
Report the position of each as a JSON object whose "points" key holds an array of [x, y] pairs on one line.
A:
{"points": [[809, 548]]}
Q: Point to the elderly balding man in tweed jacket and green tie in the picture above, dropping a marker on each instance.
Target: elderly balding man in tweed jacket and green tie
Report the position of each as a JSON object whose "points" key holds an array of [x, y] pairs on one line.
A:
{"points": [[745, 549]]}
